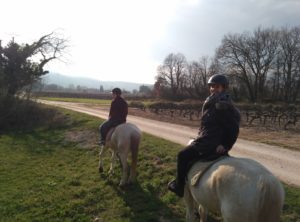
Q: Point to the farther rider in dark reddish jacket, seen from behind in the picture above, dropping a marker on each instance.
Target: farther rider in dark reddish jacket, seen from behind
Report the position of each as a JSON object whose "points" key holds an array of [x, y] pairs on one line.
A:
{"points": [[117, 114]]}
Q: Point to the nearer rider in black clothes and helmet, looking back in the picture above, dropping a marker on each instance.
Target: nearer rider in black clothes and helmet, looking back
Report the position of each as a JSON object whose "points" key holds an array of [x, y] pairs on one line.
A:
{"points": [[218, 132]]}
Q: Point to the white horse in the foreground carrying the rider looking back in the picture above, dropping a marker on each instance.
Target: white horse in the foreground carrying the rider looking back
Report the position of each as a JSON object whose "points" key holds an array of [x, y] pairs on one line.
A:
{"points": [[239, 189]]}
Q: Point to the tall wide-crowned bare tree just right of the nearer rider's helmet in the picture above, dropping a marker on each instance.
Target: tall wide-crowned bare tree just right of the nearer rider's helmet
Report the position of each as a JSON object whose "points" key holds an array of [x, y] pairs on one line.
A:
{"points": [[249, 57]]}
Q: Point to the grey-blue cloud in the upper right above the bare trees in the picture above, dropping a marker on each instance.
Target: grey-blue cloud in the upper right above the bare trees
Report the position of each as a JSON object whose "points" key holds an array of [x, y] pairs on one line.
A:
{"points": [[198, 30]]}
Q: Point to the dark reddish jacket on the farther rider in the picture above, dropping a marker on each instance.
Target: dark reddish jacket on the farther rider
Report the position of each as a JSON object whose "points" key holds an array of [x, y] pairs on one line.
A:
{"points": [[118, 109]]}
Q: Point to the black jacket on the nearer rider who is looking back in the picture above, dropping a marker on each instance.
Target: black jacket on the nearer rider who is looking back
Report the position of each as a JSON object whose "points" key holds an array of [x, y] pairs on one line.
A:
{"points": [[219, 124]]}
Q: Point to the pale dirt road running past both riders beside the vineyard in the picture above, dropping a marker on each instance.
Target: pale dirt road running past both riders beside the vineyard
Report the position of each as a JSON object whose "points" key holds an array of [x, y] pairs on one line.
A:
{"points": [[283, 163]]}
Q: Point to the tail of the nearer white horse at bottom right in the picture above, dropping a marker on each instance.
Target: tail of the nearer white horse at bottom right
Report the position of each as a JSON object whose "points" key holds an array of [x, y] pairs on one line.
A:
{"points": [[271, 199]]}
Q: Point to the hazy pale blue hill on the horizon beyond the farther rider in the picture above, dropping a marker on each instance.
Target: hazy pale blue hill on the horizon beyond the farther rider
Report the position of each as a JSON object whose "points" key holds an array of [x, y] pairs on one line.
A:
{"points": [[66, 81]]}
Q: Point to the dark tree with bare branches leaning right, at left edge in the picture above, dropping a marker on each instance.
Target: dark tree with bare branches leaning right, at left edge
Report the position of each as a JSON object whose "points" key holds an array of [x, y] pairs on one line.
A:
{"points": [[22, 65]]}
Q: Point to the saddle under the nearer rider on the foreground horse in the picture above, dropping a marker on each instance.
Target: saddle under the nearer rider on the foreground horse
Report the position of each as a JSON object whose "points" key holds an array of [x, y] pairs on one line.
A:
{"points": [[200, 167]]}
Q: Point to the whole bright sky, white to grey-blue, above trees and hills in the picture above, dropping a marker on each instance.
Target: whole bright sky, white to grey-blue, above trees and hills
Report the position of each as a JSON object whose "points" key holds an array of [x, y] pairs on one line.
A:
{"points": [[126, 40]]}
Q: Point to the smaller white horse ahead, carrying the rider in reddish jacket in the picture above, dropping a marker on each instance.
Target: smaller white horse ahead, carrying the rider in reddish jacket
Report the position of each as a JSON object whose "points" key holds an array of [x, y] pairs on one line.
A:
{"points": [[122, 139]]}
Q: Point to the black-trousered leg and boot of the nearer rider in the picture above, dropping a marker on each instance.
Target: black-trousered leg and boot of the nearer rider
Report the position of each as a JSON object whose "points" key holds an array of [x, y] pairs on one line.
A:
{"points": [[184, 159]]}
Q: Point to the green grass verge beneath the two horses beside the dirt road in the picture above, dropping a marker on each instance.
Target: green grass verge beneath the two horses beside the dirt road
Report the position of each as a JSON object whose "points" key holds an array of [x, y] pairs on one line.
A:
{"points": [[50, 174]]}
